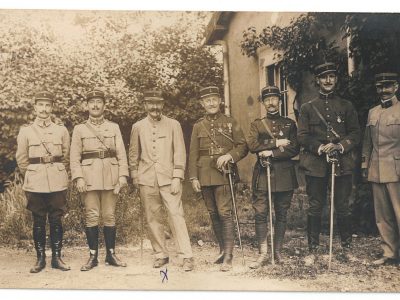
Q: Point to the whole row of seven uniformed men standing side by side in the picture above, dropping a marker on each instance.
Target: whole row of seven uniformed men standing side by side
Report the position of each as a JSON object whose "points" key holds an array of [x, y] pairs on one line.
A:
{"points": [[328, 131]]}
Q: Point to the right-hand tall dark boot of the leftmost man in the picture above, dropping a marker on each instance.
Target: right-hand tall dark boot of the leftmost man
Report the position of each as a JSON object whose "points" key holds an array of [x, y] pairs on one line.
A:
{"points": [[56, 235]]}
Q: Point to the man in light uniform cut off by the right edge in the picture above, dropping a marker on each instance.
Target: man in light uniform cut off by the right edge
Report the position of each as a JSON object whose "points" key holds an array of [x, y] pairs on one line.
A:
{"points": [[381, 163]]}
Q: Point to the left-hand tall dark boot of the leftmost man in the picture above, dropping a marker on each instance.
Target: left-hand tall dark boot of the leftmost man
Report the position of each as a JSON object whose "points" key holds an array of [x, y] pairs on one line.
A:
{"points": [[39, 238]]}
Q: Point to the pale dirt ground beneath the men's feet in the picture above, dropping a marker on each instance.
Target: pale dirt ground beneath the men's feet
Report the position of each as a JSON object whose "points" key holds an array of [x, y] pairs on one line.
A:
{"points": [[292, 275]]}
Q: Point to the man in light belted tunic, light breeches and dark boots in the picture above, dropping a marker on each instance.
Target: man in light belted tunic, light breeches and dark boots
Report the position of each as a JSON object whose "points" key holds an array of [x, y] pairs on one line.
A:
{"points": [[99, 169]]}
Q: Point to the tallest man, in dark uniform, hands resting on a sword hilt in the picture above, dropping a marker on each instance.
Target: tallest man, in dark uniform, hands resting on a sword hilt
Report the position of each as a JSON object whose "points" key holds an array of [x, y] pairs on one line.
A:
{"points": [[328, 127]]}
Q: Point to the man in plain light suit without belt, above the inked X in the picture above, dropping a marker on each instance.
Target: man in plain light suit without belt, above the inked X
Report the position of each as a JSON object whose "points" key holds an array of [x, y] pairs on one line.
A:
{"points": [[157, 159]]}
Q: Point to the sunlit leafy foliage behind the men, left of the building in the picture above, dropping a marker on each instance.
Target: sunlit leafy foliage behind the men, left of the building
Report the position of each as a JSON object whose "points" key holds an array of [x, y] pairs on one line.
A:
{"points": [[70, 53]]}
